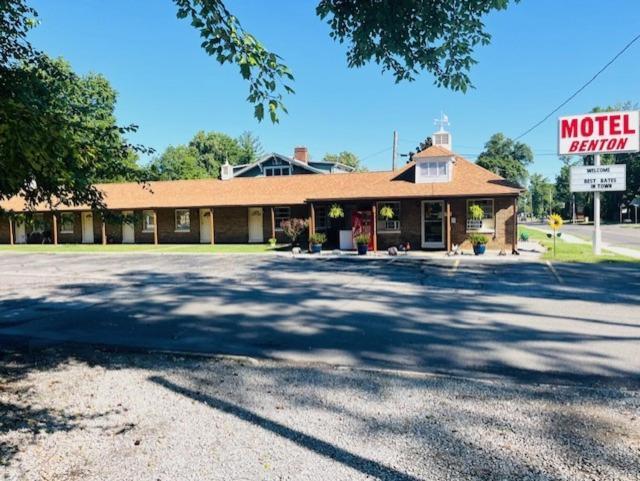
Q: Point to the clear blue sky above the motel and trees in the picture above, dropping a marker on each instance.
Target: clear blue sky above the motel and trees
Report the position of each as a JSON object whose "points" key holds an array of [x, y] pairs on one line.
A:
{"points": [[542, 51]]}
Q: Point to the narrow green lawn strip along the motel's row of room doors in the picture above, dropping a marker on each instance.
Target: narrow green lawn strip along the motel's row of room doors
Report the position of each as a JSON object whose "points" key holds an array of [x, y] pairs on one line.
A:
{"points": [[142, 248]]}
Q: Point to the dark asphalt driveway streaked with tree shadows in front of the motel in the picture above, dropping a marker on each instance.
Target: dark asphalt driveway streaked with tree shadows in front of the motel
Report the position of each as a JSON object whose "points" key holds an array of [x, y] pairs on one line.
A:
{"points": [[516, 319]]}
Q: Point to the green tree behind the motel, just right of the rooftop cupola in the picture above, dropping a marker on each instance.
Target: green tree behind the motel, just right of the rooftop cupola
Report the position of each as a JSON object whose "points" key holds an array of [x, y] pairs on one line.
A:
{"points": [[506, 158]]}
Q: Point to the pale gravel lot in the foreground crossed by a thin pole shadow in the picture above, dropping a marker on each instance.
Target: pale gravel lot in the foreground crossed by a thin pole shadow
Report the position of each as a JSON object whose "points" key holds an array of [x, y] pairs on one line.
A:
{"points": [[92, 415]]}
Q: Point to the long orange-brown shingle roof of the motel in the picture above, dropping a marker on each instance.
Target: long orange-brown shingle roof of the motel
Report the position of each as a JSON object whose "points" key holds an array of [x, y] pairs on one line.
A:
{"points": [[468, 180]]}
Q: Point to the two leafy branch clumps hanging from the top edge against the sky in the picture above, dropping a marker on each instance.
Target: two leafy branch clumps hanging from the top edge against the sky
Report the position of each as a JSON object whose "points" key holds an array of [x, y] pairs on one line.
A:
{"points": [[404, 38]]}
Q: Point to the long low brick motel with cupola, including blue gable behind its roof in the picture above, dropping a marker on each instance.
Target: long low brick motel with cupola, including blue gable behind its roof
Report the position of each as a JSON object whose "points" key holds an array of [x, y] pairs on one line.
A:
{"points": [[430, 198]]}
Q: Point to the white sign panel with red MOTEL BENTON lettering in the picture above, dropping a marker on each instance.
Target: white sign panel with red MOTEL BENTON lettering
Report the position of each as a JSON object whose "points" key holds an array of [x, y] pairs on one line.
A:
{"points": [[599, 133]]}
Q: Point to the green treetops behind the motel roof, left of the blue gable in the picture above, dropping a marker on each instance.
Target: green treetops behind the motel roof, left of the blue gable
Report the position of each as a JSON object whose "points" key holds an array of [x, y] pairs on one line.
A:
{"points": [[203, 156]]}
